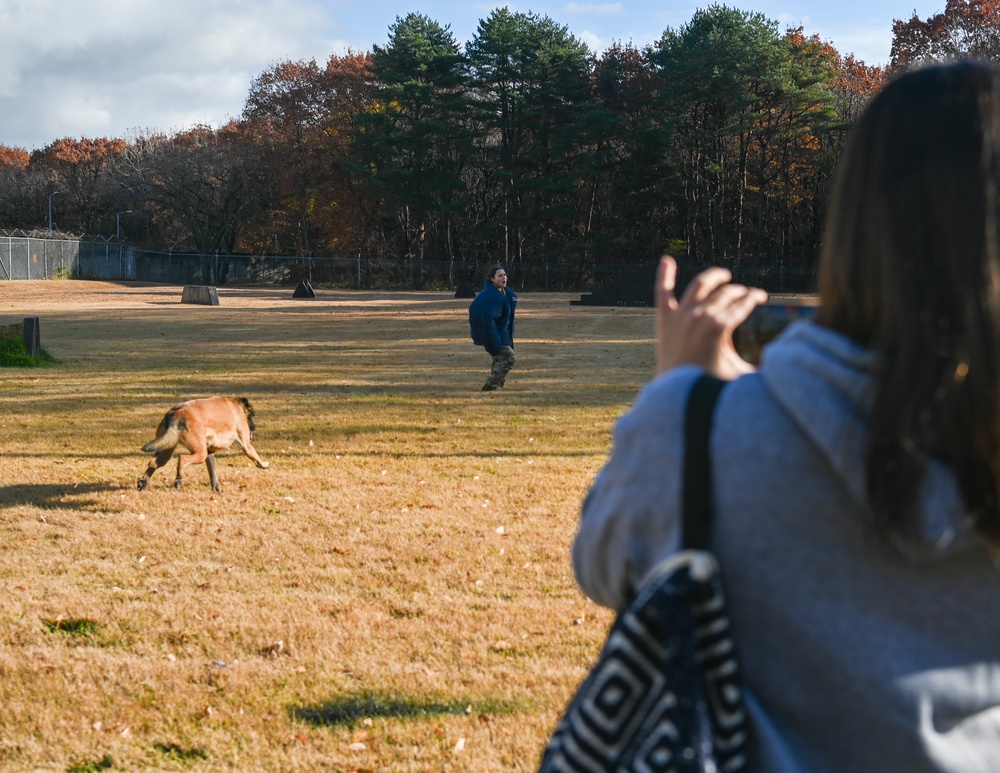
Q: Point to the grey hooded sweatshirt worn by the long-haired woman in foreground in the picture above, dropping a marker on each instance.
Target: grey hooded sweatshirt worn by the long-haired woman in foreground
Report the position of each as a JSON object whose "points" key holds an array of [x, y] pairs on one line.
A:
{"points": [[859, 654]]}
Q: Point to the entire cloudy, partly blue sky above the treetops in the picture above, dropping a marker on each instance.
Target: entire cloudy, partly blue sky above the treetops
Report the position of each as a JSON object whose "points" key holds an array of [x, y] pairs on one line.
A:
{"points": [[111, 68]]}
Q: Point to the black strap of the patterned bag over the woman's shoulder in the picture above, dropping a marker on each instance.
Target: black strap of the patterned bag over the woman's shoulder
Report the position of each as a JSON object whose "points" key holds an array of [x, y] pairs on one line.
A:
{"points": [[698, 508]]}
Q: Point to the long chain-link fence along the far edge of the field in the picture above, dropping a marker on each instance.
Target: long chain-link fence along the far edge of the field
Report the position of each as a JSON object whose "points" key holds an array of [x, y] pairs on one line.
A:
{"points": [[37, 257]]}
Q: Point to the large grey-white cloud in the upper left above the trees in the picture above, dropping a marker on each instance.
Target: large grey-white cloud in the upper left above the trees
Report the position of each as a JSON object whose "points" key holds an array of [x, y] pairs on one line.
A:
{"points": [[102, 67]]}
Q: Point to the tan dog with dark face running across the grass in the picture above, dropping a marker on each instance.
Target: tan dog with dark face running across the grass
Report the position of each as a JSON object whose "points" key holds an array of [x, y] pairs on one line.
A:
{"points": [[202, 427]]}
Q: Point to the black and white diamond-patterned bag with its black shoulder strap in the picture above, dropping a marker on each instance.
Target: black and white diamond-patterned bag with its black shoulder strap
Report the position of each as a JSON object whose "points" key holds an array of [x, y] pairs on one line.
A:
{"points": [[666, 693]]}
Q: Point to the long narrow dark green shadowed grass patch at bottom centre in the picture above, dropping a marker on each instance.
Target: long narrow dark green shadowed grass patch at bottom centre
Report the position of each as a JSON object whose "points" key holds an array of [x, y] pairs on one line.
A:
{"points": [[348, 710]]}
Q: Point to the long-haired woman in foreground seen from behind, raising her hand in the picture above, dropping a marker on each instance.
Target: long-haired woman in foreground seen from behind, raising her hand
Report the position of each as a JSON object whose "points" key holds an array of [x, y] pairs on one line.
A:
{"points": [[857, 471]]}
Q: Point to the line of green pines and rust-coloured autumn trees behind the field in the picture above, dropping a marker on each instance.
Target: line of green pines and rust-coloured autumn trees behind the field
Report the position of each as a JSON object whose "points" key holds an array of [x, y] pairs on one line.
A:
{"points": [[718, 141]]}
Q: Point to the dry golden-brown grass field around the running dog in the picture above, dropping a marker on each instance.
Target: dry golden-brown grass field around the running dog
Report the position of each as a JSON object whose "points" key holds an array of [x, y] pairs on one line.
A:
{"points": [[394, 593]]}
